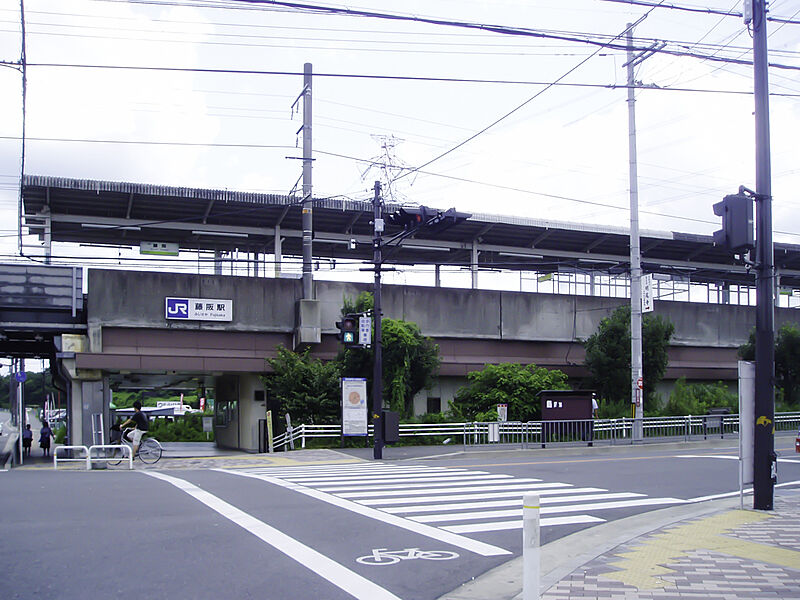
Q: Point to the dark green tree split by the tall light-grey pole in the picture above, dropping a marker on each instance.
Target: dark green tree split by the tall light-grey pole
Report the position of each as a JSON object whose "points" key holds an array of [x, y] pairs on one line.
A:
{"points": [[608, 355]]}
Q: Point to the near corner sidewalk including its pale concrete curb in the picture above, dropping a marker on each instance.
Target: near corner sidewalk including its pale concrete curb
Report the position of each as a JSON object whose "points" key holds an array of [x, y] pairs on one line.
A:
{"points": [[709, 551]]}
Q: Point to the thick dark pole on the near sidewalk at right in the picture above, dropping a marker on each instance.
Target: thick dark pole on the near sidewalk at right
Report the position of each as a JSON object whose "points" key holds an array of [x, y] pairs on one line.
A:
{"points": [[764, 440]]}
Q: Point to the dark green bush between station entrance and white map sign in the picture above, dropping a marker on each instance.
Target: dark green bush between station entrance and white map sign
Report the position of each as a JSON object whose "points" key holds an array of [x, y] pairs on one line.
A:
{"points": [[305, 387]]}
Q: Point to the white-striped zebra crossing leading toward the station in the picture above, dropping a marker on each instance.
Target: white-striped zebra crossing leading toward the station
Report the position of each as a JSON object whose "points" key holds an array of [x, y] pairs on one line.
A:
{"points": [[452, 499]]}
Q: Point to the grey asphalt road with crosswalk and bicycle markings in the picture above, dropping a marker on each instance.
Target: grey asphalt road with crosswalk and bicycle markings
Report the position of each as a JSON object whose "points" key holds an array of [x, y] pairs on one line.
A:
{"points": [[298, 532]]}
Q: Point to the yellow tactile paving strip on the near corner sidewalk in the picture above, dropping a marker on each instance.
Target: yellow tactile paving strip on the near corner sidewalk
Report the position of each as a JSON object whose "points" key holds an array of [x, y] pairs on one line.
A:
{"points": [[644, 566]]}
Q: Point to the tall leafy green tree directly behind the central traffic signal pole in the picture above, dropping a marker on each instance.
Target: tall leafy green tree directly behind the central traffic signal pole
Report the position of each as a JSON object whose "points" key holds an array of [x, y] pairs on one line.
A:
{"points": [[410, 360]]}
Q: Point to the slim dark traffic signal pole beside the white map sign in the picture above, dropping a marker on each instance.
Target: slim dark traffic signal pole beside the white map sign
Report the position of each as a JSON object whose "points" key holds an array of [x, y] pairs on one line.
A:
{"points": [[377, 372]]}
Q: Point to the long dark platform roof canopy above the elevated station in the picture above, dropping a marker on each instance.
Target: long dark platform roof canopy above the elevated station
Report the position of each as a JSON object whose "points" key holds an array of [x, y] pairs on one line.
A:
{"points": [[125, 214]]}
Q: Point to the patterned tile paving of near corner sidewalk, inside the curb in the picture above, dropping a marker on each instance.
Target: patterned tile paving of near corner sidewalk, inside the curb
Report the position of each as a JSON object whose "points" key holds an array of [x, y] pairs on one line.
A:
{"points": [[734, 555]]}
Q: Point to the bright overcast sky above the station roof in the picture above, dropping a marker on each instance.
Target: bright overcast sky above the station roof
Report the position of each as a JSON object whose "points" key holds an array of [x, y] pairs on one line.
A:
{"points": [[562, 156]]}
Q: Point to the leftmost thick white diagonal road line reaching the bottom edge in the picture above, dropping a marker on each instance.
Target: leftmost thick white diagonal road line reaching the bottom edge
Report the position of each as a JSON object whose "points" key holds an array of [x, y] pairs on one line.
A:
{"points": [[340, 576]]}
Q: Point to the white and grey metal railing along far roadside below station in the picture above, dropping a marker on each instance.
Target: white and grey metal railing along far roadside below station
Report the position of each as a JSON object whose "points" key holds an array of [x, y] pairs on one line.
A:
{"points": [[548, 433]]}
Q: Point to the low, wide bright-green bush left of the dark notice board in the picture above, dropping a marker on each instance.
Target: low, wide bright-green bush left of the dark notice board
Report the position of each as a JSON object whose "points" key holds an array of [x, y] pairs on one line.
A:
{"points": [[506, 383]]}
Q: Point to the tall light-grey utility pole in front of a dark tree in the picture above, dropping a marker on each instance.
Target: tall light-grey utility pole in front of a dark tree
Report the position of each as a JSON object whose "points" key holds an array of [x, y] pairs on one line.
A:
{"points": [[636, 269]]}
